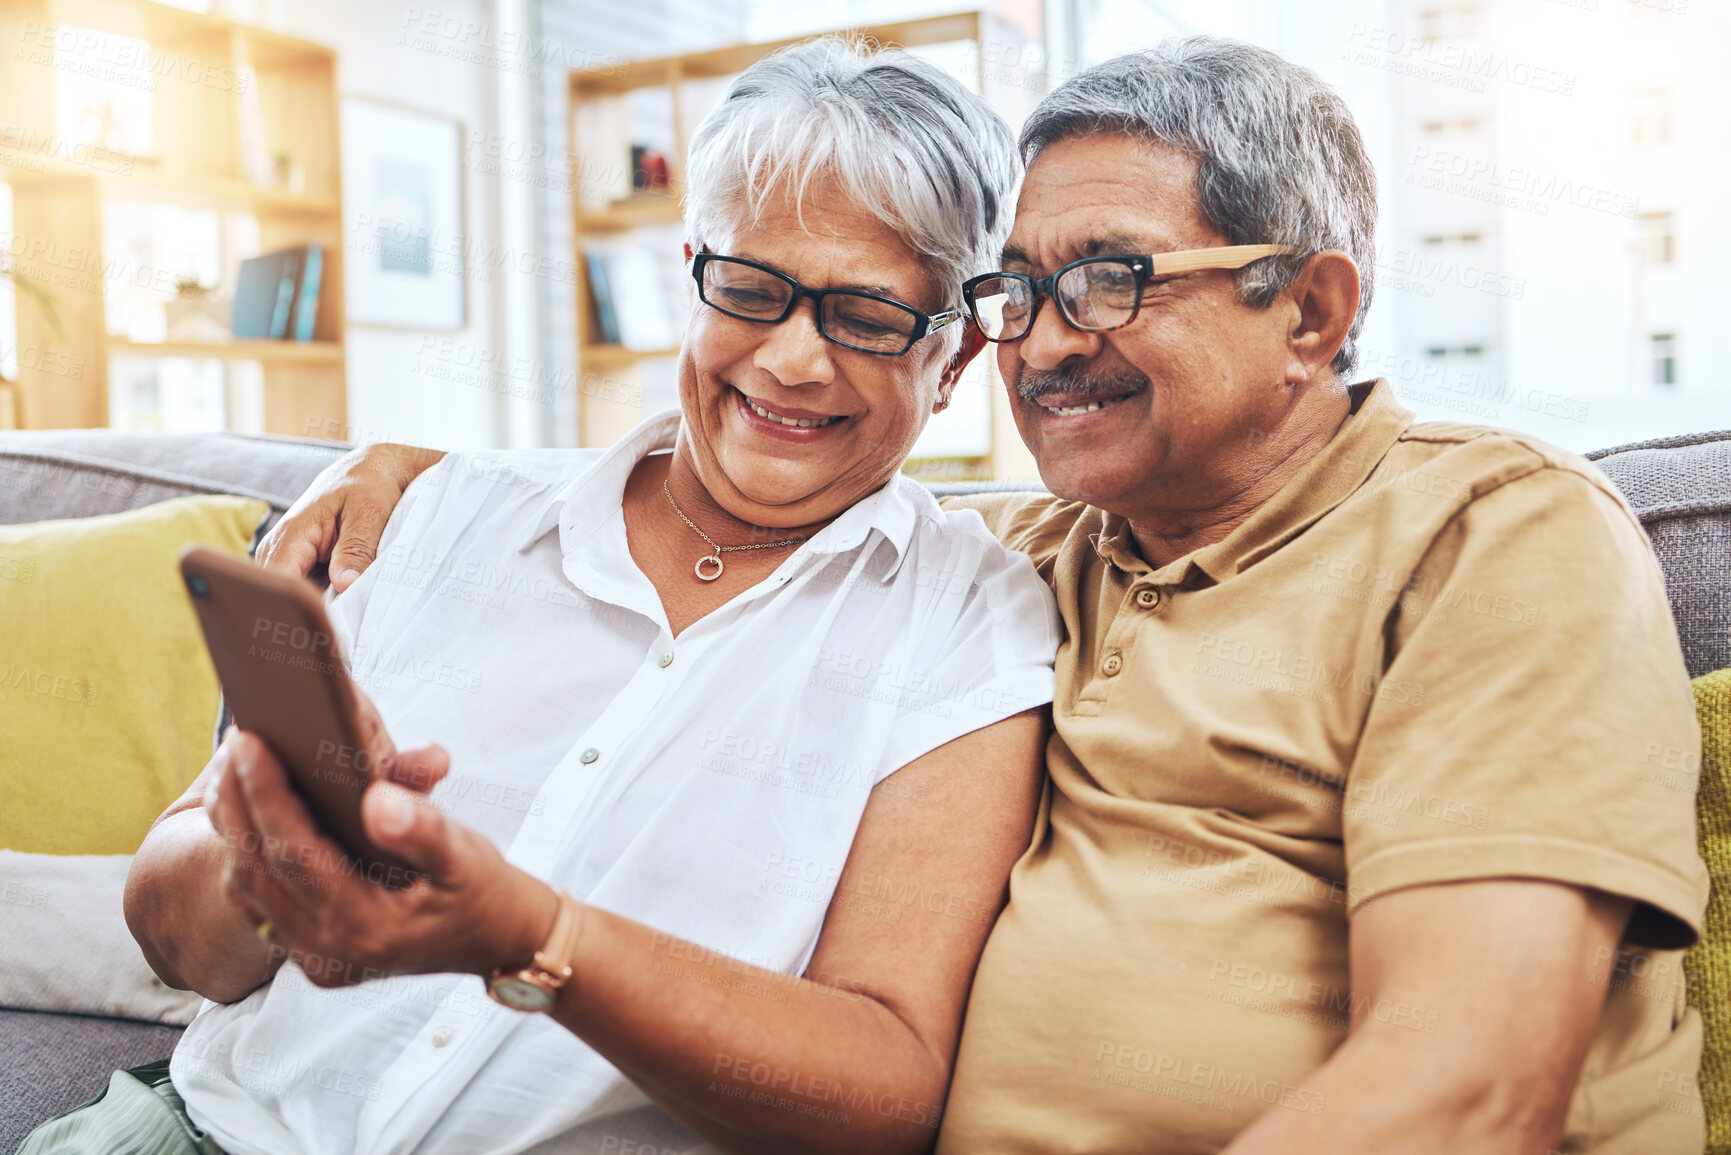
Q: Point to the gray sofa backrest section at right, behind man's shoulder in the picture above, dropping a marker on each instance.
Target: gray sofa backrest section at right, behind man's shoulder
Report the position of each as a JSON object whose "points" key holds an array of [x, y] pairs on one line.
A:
{"points": [[1682, 491]]}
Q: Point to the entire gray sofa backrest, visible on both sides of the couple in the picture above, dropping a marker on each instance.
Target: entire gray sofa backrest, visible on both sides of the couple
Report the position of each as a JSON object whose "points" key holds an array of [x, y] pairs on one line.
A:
{"points": [[1680, 487]]}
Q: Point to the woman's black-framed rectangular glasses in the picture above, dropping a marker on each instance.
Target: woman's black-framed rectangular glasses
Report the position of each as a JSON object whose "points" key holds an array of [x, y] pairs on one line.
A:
{"points": [[859, 321]]}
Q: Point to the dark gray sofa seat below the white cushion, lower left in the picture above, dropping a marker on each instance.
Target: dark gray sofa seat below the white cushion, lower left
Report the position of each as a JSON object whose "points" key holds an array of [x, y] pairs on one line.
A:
{"points": [[55, 1062]]}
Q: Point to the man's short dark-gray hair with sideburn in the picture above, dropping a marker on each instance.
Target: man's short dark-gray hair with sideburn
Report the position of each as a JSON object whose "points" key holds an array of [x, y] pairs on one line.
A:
{"points": [[1280, 158]]}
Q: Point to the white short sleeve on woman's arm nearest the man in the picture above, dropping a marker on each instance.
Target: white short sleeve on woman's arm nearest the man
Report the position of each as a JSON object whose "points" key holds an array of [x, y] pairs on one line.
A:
{"points": [[989, 659]]}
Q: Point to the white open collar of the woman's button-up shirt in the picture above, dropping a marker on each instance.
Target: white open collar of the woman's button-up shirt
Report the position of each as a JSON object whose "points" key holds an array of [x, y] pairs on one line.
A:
{"points": [[584, 503]]}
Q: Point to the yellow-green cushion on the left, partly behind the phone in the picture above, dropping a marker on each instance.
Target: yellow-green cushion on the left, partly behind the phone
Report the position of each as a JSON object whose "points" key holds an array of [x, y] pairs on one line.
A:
{"points": [[108, 699]]}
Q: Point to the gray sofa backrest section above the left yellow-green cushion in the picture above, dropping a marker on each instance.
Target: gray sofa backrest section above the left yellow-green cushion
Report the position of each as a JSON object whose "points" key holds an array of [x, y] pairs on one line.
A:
{"points": [[77, 474]]}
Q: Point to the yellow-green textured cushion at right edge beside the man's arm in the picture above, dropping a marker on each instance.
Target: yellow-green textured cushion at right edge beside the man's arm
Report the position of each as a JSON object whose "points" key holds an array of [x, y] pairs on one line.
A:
{"points": [[1708, 967]]}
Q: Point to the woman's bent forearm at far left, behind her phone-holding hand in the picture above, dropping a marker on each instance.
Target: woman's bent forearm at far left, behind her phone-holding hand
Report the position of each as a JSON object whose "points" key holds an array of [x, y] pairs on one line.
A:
{"points": [[191, 934]]}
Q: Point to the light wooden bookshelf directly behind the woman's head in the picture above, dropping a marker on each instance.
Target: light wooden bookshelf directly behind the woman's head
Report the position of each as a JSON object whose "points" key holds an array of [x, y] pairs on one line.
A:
{"points": [[605, 209]]}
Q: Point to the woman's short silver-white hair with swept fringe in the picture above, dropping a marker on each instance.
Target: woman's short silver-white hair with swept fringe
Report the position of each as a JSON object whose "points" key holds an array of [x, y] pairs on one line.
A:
{"points": [[901, 136]]}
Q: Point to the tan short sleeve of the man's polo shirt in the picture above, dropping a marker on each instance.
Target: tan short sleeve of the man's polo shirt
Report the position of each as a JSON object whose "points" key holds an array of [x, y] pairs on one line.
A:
{"points": [[1550, 730]]}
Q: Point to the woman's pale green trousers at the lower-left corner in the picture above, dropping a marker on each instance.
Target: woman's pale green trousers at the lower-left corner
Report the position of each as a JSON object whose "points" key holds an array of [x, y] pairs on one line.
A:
{"points": [[139, 1114]]}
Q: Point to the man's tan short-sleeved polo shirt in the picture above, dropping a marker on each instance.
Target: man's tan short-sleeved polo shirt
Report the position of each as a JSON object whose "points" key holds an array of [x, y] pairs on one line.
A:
{"points": [[1439, 654]]}
